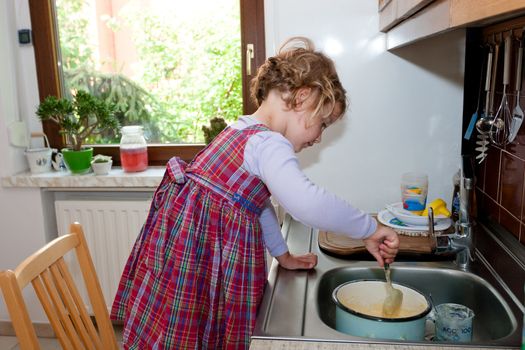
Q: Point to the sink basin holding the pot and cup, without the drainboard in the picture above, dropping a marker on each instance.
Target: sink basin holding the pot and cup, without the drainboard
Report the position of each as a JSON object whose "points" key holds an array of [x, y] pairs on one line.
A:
{"points": [[493, 318]]}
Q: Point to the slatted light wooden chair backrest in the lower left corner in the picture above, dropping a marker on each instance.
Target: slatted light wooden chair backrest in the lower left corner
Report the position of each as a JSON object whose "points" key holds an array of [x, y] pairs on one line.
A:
{"points": [[46, 270]]}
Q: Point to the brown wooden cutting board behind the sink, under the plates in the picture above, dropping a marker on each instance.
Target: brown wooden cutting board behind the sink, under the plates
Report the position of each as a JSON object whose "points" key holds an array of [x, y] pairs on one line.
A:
{"points": [[344, 245]]}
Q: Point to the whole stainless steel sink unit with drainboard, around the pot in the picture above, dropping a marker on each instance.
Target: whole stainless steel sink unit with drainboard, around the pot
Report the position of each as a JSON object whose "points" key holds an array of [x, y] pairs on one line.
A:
{"points": [[297, 304]]}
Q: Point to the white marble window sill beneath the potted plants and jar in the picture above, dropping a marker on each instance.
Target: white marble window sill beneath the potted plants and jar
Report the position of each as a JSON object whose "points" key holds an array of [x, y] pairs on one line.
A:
{"points": [[117, 178]]}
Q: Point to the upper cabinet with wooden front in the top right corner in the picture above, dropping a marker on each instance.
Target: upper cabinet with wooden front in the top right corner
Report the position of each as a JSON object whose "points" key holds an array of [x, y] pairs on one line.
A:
{"points": [[406, 21]]}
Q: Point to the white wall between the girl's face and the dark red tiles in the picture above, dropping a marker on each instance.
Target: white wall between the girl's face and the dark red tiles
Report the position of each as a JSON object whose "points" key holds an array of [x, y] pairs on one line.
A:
{"points": [[405, 106]]}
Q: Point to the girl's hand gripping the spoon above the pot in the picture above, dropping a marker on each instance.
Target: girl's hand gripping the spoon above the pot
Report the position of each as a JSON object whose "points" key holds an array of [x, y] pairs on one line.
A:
{"points": [[383, 244]]}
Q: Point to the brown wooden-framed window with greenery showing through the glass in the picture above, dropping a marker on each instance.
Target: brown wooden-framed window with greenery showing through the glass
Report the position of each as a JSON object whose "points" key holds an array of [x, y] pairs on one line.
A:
{"points": [[156, 54]]}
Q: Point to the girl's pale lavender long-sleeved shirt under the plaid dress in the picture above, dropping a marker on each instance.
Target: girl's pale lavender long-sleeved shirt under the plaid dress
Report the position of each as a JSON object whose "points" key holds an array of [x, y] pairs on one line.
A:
{"points": [[271, 157]]}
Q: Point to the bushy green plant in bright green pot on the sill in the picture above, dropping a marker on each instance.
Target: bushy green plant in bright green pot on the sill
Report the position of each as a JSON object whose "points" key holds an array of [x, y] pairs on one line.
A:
{"points": [[83, 116]]}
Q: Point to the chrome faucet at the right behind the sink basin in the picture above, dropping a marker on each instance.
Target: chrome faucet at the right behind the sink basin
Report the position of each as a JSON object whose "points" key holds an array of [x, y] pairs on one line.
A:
{"points": [[461, 242]]}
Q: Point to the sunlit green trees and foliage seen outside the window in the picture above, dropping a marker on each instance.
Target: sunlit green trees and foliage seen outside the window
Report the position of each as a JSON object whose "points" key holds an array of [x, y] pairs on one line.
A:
{"points": [[189, 67]]}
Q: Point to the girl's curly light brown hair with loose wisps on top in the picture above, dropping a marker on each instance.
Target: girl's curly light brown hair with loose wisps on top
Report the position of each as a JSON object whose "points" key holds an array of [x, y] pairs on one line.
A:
{"points": [[297, 65]]}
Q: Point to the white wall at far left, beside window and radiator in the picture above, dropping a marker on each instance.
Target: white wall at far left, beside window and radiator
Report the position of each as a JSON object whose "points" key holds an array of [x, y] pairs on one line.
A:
{"points": [[21, 216]]}
